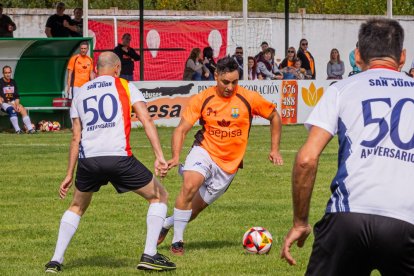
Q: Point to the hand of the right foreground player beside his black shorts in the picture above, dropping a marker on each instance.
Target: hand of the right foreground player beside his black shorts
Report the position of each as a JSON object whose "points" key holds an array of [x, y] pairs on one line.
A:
{"points": [[297, 234]]}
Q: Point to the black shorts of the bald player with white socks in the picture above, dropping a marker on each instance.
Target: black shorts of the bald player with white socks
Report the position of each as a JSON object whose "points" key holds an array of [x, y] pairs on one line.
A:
{"points": [[125, 173]]}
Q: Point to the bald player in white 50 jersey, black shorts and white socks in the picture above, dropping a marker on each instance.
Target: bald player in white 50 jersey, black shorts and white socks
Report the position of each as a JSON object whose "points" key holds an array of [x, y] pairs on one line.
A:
{"points": [[104, 155]]}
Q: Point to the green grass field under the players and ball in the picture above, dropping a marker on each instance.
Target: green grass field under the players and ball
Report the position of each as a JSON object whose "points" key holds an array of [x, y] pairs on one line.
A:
{"points": [[111, 235]]}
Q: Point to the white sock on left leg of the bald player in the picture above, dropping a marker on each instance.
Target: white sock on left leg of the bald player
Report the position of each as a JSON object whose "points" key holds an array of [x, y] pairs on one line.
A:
{"points": [[67, 229]]}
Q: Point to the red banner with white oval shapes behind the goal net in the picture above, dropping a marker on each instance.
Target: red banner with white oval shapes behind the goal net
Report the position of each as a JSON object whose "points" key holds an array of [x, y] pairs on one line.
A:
{"points": [[175, 38]]}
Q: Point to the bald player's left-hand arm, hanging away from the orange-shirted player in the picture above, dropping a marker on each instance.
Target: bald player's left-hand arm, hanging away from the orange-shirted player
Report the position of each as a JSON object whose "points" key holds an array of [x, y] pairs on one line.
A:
{"points": [[73, 157]]}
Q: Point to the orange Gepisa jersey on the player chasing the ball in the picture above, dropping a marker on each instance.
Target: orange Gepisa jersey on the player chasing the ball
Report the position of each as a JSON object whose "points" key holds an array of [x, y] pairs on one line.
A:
{"points": [[225, 123]]}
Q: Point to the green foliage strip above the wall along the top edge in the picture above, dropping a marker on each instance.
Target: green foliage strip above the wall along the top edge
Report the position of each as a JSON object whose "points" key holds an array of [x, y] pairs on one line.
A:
{"points": [[368, 7]]}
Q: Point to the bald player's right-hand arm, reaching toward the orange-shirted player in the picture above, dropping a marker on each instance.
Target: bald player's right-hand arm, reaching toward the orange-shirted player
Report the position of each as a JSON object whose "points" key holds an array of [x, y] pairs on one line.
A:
{"points": [[160, 164]]}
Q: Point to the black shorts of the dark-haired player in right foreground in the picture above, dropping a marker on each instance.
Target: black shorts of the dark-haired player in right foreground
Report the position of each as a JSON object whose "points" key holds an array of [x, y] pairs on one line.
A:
{"points": [[355, 244]]}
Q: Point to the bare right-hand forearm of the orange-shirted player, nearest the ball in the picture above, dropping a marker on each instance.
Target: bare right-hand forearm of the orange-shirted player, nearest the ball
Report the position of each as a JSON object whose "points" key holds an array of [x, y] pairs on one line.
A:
{"points": [[275, 131]]}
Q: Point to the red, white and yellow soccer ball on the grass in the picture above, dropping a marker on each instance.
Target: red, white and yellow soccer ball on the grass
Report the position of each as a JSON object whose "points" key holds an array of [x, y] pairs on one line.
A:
{"points": [[257, 240]]}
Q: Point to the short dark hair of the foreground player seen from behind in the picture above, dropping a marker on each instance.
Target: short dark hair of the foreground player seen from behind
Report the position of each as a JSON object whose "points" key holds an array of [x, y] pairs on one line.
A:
{"points": [[380, 37]]}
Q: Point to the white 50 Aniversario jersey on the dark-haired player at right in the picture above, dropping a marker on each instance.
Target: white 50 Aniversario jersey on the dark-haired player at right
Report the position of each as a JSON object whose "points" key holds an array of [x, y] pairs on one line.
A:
{"points": [[373, 114]]}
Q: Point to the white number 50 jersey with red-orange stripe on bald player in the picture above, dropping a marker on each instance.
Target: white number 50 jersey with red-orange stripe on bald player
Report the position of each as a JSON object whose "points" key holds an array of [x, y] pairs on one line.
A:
{"points": [[104, 108]]}
